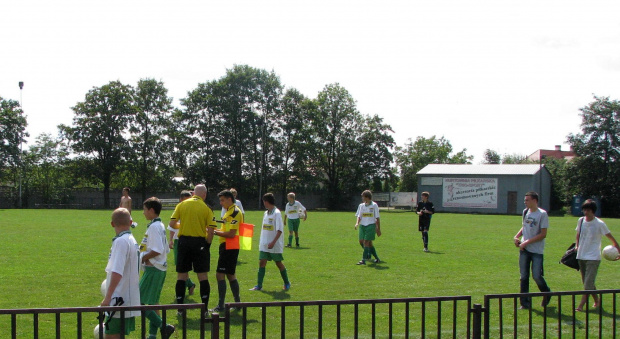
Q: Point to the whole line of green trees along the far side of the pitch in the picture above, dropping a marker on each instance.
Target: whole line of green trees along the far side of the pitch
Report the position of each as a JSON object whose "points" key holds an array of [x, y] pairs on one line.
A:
{"points": [[244, 130]]}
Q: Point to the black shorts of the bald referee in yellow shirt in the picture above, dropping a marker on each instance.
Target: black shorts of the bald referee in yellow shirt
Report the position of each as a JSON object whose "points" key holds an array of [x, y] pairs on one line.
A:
{"points": [[193, 254]]}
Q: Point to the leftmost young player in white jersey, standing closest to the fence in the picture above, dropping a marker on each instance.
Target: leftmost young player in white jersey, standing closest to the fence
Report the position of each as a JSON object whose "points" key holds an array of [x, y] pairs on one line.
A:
{"points": [[122, 277]]}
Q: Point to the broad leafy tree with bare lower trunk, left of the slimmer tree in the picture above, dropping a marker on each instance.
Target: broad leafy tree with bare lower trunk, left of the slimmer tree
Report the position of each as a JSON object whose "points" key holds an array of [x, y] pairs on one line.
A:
{"points": [[100, 126]]}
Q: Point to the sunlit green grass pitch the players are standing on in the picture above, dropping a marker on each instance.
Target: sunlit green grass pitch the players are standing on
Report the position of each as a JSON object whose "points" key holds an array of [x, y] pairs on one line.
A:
{"points": [[56, 258]]}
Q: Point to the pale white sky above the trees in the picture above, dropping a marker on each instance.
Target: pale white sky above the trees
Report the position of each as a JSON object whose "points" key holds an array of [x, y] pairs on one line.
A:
{"points": [[505, 75]]}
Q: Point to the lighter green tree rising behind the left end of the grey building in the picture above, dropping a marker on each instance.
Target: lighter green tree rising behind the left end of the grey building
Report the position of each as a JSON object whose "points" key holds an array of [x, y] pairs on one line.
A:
{"points": [[415, 155]]}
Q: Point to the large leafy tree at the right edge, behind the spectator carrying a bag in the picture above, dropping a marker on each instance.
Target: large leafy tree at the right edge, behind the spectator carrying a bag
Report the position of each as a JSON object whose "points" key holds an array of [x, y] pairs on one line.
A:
{"points": [[596, 171]]}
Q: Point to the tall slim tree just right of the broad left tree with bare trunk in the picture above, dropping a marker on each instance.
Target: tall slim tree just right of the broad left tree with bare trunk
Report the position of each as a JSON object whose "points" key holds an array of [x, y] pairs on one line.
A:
{"points": [[149, 143]]}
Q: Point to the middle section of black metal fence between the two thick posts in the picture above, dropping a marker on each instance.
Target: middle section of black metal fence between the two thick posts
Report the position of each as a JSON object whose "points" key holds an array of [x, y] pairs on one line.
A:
{"points": [[403, 317]]}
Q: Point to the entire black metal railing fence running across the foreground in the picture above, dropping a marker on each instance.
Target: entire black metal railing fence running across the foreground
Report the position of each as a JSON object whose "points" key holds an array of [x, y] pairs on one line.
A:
{"points": [[433, 317]]}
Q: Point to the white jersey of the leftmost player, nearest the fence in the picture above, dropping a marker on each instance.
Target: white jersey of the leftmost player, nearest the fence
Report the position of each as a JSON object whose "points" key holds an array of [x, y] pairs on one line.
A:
{"points": [[123, 260]]}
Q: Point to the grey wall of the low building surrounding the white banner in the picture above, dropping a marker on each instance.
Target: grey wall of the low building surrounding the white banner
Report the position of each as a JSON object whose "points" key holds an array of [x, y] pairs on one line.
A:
{"points": [[521, 184]]}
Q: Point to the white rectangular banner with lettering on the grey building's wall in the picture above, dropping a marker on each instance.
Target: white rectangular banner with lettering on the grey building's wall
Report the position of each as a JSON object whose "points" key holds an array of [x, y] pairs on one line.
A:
{"points": [[470, 192]]}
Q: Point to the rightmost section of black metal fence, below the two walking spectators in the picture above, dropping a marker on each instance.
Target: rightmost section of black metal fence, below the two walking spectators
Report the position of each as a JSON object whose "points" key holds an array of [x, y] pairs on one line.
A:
{"points": [[503, 317]]}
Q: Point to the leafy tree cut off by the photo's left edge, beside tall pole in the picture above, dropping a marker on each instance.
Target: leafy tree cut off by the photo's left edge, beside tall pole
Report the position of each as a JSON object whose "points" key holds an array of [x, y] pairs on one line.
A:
{"points": [[12, 132]]}
